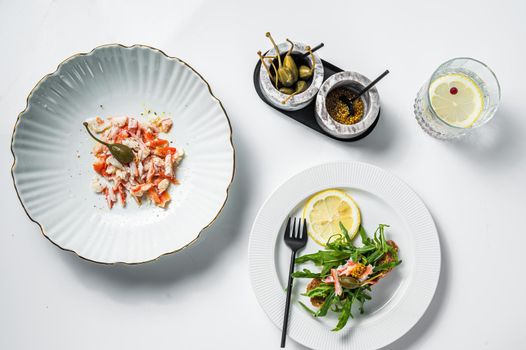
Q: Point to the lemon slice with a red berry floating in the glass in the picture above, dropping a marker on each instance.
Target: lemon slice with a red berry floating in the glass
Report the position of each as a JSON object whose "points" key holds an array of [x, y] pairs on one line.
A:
{"points": [[456, 99]]}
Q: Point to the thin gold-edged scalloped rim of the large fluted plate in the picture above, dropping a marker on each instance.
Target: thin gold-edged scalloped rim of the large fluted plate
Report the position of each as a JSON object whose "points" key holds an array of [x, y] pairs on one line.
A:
{"points": [[54, 73]]}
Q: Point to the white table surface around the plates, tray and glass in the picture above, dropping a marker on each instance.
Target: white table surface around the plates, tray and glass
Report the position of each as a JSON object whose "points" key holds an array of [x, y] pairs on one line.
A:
{"points": [[201, 298]]}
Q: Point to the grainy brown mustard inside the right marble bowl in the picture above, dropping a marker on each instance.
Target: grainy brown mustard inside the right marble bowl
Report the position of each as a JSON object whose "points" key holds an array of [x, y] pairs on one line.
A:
{"points": [[339, 110]]}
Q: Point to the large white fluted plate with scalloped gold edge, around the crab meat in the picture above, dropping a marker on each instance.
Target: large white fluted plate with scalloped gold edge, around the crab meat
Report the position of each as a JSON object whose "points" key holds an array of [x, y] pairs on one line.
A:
{"points": [[52, 166]]}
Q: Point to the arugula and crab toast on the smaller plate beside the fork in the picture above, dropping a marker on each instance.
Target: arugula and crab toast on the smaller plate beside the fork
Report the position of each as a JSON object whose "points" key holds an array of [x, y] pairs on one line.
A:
{"points": [[347, 272]]}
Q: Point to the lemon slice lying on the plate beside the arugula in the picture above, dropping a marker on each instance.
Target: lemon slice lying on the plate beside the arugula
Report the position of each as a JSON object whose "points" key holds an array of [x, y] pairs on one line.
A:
{"points": [[325, 210]]}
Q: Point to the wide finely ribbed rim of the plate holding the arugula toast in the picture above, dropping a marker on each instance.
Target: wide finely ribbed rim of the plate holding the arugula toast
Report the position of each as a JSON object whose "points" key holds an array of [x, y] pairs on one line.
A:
{"points": [[262, 264]]}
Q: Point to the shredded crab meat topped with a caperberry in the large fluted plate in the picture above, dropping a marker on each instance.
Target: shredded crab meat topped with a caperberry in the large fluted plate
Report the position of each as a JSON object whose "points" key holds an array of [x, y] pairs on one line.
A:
{"points": [[132, 160]]}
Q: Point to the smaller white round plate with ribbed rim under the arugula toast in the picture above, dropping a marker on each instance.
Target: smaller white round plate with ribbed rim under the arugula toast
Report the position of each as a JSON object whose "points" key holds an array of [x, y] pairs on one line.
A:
{"points": [[398, 301]]}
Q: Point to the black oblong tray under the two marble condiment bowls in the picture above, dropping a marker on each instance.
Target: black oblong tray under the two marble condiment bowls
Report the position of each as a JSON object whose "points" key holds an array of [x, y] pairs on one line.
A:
{"points": [[306, 115]]}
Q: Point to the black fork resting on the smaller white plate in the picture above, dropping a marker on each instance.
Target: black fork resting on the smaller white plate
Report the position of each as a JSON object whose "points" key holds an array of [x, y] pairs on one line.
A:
{"points": [[295, 239]]}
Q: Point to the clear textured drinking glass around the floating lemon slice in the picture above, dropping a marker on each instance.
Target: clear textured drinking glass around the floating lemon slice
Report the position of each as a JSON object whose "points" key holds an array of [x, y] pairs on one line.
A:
{"points": [[481, 75]]}
